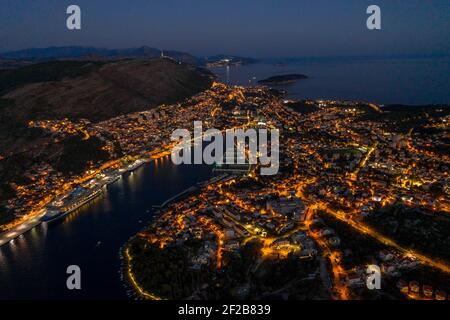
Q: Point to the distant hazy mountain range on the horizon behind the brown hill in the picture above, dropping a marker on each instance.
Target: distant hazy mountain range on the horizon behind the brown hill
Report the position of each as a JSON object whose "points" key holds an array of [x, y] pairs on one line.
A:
{"points": [[33, 55]]}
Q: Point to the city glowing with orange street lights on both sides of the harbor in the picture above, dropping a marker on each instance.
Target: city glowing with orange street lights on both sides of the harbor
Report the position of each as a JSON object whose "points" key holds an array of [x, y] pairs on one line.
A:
{"points": [[343, 164]]}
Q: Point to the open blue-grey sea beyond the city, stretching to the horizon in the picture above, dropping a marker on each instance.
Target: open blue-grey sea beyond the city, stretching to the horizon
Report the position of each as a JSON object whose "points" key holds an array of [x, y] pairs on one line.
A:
{"points": [[344, 78]]}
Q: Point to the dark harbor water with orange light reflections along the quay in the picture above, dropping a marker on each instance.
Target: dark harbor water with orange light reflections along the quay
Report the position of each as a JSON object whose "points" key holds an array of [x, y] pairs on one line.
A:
{"points": [[91, 236]]}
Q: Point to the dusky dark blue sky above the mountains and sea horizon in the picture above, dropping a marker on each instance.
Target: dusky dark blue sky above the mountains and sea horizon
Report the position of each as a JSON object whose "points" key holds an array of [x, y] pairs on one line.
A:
{"points": [[259, 28]]}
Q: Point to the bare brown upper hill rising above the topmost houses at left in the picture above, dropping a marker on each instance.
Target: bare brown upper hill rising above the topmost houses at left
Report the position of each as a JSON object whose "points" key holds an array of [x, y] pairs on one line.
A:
{"points": [[95, 90]]}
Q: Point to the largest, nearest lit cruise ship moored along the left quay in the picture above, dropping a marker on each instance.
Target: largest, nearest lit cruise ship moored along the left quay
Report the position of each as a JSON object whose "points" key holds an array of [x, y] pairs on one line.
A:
{"points": [[75, 199]]}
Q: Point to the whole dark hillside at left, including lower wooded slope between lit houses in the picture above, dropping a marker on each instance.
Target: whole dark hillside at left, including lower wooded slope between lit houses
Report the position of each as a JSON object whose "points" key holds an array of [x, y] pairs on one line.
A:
{"points": [[74, 90]]}
